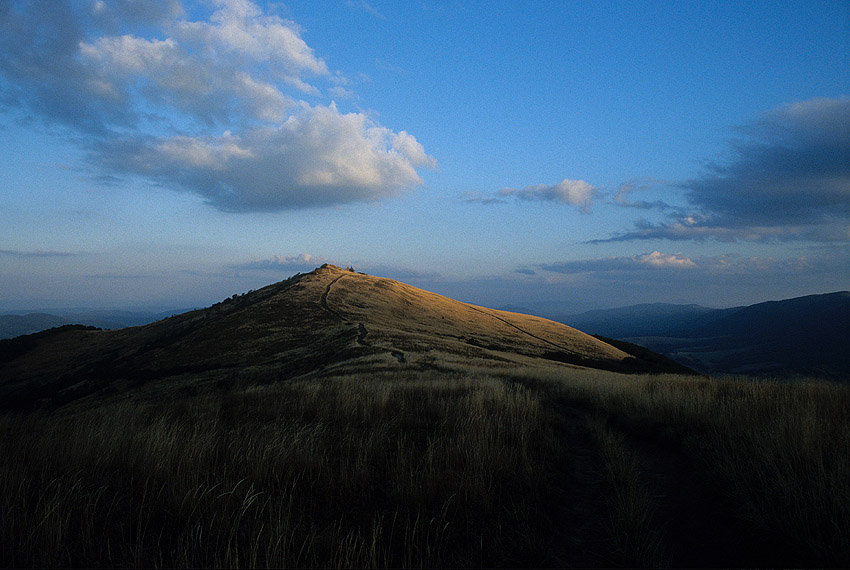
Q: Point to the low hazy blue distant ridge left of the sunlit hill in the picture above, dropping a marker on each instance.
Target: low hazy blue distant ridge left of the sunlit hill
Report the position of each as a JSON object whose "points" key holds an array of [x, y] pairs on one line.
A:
{"points": [[16, 324]]}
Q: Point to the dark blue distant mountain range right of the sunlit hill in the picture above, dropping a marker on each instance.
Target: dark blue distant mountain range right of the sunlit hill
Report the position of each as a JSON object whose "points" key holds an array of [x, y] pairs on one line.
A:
{"points": [[806, 335]]}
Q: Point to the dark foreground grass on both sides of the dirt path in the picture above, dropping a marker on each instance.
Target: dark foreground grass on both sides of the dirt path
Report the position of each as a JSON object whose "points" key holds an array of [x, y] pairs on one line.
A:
{"points": [[432, 469]]}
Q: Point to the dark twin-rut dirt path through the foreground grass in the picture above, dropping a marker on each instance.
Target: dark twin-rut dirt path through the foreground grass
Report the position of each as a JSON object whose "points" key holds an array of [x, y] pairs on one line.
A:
{"points": [[694, 524]]}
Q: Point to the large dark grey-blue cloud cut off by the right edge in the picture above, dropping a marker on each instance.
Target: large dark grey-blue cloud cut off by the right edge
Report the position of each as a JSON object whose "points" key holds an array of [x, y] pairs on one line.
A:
{"points": [[789, 180]]}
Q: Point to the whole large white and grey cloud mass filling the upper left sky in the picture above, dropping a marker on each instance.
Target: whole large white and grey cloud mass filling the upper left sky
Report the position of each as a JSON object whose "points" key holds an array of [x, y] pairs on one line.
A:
{"points": [[211, 106]]}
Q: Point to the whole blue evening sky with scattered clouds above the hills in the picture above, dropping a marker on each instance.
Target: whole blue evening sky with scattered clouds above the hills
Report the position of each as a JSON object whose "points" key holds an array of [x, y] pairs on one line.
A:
{"points": [[553, 157]]}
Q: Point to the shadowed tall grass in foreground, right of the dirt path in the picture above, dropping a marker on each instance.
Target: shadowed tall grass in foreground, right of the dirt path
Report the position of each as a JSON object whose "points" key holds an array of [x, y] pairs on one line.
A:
{"points": [[778, 453]]}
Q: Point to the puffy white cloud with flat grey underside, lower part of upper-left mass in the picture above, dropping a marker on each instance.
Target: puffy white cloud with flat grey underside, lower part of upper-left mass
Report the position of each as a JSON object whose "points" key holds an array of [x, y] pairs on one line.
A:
{"points": [[317, 158]]}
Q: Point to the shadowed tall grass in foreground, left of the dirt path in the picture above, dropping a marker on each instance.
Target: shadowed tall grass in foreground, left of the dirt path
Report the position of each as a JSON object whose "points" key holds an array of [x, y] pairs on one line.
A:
{"points": [[352, 472]]}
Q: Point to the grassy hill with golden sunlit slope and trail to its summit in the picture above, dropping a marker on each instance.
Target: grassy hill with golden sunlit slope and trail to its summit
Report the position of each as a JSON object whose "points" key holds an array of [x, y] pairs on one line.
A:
{"points": [[327, 321]]}
